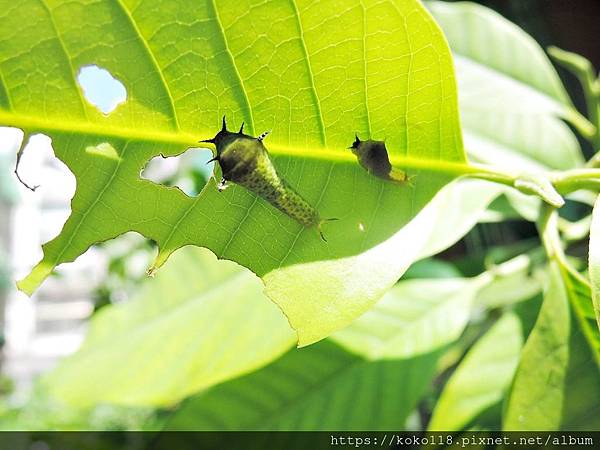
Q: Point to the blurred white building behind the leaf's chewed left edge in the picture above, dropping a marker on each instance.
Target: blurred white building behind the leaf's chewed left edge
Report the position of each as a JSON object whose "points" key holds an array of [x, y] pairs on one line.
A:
{"points": [[38, 331]]}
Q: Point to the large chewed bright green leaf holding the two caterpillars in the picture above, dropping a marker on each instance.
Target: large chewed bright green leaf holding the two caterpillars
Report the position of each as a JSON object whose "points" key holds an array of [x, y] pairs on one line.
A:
{"points": [[314, 72]]}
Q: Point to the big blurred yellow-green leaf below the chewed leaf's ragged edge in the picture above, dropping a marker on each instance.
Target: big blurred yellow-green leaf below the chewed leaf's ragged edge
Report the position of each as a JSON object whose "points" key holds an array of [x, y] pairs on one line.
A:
{"points": [[201, 321]]}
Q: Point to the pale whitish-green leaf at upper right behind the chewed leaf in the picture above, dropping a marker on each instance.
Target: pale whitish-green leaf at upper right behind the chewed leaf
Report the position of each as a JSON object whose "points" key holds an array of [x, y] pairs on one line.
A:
{"points": [[510, 95]]}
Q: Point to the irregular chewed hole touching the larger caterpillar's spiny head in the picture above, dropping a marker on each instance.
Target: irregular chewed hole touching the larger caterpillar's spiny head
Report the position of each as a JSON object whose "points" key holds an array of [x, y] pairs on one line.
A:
{"points": [[188, 171]]}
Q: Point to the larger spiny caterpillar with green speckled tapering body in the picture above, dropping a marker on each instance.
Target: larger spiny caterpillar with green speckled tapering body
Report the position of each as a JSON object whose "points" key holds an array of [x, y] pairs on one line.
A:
{"points": [[244, 160]]}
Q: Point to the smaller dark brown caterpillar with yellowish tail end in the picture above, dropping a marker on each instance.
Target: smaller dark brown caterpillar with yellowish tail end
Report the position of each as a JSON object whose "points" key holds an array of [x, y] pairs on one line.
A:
{"points": [[374, 158]]}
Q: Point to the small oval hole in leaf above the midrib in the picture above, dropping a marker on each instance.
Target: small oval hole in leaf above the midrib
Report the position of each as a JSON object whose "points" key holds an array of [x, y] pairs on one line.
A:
{"points": [[101, 89]]}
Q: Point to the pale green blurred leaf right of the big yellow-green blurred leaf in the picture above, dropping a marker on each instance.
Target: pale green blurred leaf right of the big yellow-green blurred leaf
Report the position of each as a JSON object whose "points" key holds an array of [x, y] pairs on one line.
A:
{"points": [[415, 317]]}
